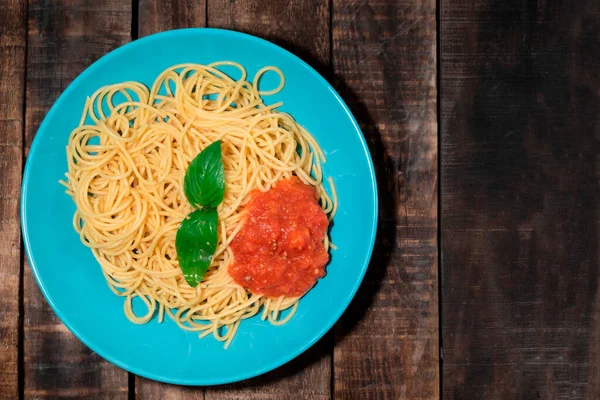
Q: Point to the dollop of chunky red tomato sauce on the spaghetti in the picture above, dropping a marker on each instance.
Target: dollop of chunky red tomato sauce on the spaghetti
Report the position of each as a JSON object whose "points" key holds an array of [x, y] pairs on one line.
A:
{"points": [[279, 250]]}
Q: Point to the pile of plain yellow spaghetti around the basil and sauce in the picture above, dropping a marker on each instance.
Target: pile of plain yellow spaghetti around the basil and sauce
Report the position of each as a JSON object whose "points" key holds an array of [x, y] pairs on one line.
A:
{"points": [[126, 164]]}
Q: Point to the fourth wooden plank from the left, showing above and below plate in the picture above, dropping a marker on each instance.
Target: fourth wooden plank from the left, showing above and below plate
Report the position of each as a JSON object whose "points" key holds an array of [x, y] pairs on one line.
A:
{"points": [[303, 27]]}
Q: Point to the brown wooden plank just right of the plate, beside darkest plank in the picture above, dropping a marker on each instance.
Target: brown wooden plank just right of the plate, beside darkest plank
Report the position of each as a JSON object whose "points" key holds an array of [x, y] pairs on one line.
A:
{"points": [[384, 61]]}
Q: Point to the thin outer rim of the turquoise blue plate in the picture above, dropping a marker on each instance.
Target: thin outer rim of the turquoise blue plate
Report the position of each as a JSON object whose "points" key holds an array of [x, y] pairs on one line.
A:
{"points": [[170, 35]]}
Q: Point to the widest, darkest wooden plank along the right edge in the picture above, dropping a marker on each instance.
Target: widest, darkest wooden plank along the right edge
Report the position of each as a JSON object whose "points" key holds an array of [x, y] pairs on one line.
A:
{"points": [[520, 136]]}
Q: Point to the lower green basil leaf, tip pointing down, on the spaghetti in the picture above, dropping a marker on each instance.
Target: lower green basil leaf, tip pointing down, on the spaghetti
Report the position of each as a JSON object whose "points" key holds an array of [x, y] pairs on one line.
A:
{"points": [[196, 242]]}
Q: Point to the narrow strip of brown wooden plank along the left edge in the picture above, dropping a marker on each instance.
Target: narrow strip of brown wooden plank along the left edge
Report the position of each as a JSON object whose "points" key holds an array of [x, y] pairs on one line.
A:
{"points": [[13, 36]]}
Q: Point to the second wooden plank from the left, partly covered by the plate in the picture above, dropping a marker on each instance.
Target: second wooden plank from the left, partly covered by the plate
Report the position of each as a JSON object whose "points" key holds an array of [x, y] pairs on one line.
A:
{"points": [[64, 38]]}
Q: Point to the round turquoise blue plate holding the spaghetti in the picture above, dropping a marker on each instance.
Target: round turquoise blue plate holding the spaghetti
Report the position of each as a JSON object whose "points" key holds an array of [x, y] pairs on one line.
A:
{"points": [[71, 279]]}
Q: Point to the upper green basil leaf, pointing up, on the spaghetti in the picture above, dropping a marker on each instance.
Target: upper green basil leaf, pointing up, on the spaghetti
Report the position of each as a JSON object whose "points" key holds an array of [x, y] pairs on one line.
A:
{"points": [[204, 181]]}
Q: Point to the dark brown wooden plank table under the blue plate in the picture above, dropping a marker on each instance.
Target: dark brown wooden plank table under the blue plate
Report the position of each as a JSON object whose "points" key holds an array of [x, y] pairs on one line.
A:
{"points": [[483, 121]]}
